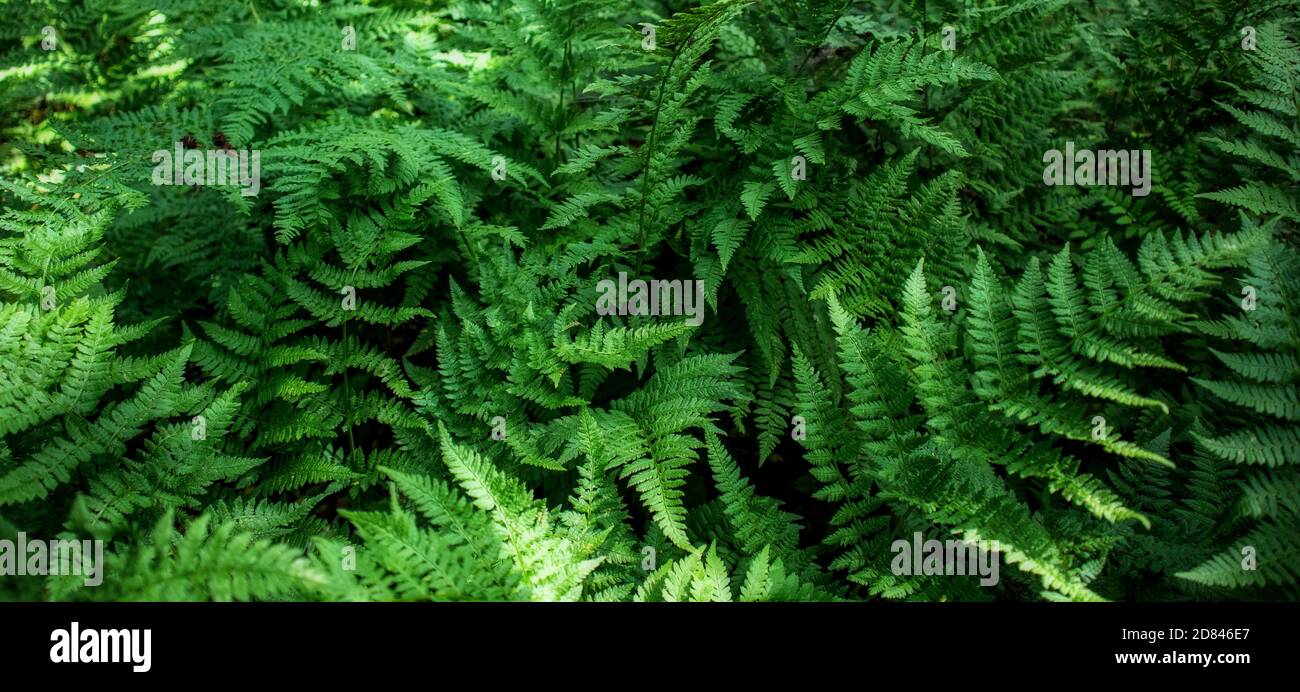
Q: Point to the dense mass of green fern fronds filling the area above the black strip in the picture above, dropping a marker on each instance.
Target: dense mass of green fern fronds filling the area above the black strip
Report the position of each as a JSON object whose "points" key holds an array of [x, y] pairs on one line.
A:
{"points": [[337, 301]]}
